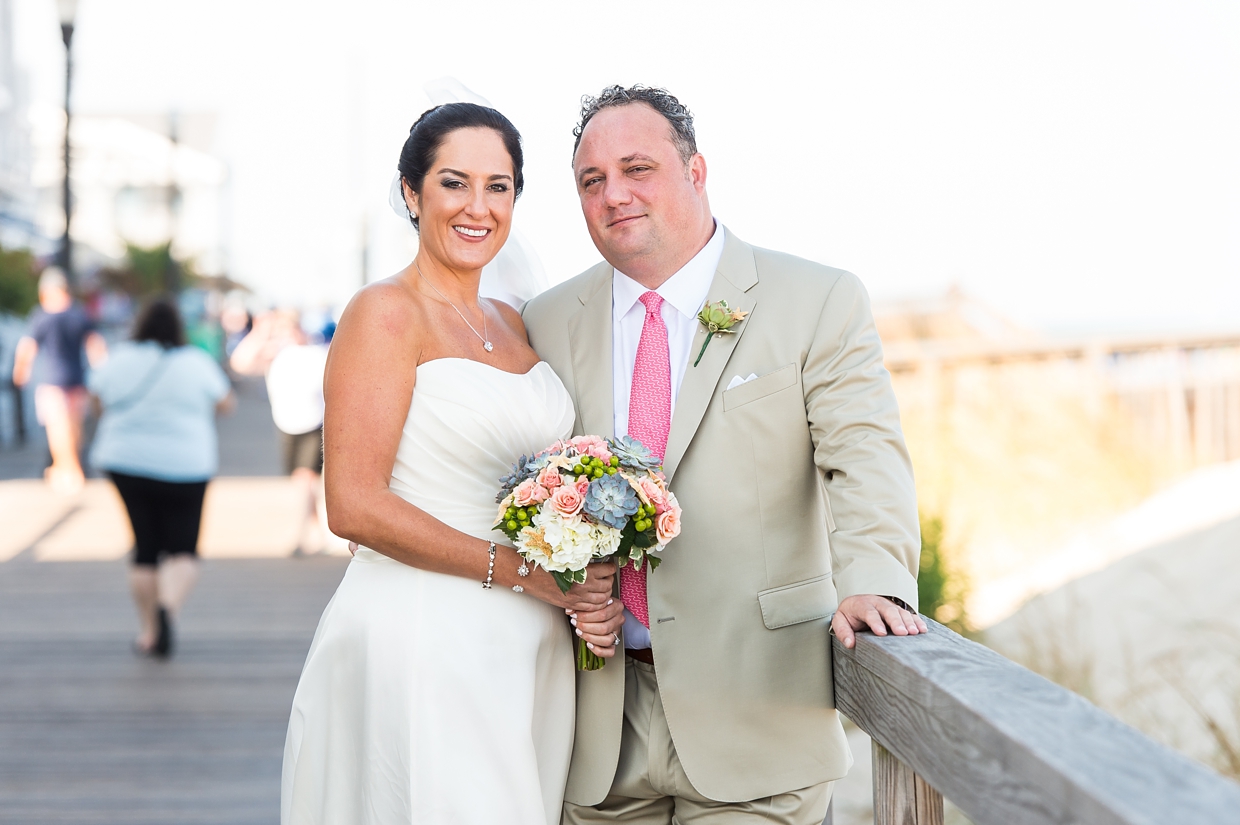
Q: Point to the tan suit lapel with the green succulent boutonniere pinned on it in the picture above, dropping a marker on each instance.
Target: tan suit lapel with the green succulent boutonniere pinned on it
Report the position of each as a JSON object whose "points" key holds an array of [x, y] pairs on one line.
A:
{"points": [[737, 275]]}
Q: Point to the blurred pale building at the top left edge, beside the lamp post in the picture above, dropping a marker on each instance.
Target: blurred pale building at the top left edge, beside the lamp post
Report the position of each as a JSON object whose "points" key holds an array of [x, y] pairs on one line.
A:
{"points": [[17, 192]]}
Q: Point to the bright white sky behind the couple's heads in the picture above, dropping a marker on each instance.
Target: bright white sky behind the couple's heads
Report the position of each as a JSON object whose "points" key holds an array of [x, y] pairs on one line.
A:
{"points": [[1073, 164]]}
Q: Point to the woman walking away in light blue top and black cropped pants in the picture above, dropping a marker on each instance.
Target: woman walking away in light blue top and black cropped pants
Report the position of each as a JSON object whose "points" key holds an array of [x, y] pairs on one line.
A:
{"points": [[157, 441]]}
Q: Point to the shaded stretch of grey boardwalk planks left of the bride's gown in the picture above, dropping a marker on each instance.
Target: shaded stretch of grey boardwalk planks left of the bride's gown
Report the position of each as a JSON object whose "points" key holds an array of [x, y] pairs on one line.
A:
{"points": [[92, 734]]}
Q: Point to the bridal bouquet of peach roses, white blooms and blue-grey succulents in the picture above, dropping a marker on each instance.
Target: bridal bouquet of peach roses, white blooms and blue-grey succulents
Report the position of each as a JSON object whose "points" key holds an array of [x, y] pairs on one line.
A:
{"points": [[583, 501]]}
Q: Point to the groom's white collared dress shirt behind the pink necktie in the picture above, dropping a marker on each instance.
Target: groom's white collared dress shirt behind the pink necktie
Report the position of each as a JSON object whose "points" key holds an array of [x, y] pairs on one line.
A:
{"points": [[684, 296]]}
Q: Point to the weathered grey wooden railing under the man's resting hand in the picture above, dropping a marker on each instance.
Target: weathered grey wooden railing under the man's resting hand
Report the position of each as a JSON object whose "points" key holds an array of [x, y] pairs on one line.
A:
{"points": [[1007, 746]]}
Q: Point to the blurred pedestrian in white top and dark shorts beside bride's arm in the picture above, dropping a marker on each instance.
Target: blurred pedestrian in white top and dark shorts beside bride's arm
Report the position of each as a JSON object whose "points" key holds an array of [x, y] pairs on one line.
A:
{"points": [[278, 349]]}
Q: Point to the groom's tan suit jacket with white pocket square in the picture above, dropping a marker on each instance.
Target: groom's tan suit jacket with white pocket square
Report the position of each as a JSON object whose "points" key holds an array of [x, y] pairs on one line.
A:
{"points": [[797, 492]]}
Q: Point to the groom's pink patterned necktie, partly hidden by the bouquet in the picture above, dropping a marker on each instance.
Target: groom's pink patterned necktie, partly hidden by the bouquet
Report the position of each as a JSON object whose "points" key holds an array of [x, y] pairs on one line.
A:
{"points": [[650, 419]]}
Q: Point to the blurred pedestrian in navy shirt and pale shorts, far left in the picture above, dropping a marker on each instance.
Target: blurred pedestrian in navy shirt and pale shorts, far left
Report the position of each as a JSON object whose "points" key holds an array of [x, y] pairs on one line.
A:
{"points": [[61, 333]]}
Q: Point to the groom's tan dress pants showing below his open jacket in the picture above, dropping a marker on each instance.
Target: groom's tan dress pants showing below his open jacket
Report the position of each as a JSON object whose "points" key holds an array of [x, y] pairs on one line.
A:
{"points": [[652, 788]]}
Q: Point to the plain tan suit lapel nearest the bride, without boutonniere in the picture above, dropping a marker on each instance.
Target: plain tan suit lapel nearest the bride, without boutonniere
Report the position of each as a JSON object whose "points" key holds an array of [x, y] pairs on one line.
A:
{"points": [[590, 334]]}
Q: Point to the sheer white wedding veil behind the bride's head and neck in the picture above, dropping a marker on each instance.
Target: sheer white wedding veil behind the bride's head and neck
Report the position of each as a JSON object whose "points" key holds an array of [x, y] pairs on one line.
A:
{"points": [[516, 275]]}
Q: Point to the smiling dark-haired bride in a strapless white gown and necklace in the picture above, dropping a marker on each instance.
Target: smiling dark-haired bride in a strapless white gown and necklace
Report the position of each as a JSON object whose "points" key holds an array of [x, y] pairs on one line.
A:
{"points": [[440, 687]]}
